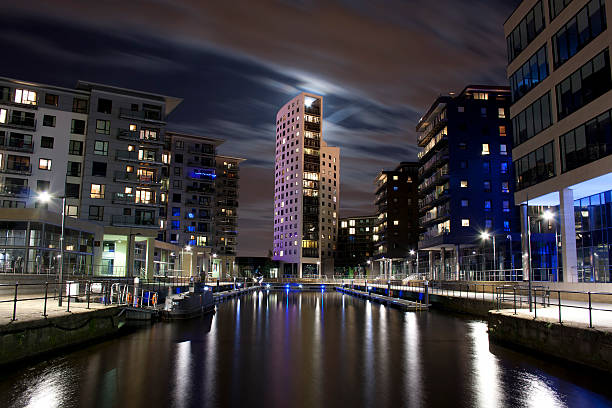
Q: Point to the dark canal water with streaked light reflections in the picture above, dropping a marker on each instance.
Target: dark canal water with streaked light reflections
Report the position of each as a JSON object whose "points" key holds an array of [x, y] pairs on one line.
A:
{"points": [[308, 349]]}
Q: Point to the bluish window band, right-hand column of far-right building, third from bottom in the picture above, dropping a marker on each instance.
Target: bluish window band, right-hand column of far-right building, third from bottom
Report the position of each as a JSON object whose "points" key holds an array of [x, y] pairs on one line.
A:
{"points": [[579, 31]]}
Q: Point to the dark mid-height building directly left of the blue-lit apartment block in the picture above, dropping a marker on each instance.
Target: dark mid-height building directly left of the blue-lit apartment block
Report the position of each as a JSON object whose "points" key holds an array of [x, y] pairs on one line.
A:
{"points": [[397, 229]]}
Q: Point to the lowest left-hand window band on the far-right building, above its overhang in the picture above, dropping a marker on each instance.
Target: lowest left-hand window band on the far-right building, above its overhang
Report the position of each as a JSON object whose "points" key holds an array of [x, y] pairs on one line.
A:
{"points": [[535, 167]]}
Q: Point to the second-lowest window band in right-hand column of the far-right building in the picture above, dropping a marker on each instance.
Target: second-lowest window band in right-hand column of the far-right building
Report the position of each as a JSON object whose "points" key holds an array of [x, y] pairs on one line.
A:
{"points": [[583, 86]]}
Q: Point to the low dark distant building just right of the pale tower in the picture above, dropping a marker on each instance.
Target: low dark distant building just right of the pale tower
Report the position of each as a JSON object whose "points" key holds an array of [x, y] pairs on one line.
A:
{"points": [[355, 253]]}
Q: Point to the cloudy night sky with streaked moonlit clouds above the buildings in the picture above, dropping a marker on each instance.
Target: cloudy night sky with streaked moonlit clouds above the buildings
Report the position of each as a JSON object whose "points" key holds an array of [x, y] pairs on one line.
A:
{"points": [[379, 65]]}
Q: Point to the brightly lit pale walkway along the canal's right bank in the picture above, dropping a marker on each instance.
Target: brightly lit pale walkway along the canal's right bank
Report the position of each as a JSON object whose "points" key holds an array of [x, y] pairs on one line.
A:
{"points": [[572, 312]]}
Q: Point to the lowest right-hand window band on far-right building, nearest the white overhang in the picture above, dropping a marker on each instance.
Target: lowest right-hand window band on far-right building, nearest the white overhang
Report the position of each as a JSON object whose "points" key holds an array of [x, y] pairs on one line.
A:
{"points": [[587, 143]]}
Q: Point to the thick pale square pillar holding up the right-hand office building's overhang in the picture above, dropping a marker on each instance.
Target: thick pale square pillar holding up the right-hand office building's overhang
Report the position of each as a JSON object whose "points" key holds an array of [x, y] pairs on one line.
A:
{"points": [[568, 235]]}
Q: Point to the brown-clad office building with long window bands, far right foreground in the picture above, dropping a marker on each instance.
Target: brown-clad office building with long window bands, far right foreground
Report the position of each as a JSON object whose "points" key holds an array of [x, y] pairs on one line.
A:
{"points": [[559, 72]]}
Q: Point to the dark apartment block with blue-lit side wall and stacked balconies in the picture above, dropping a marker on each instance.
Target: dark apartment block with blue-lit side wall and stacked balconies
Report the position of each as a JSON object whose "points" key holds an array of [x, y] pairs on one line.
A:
{"points": [[466, 187]]}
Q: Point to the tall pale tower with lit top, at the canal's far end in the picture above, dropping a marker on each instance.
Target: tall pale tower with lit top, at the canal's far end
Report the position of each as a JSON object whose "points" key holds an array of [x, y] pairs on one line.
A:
{"points": [[306, 190]]}
